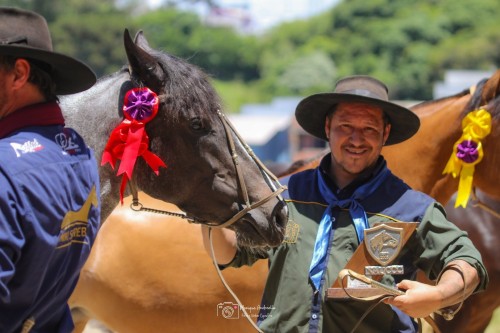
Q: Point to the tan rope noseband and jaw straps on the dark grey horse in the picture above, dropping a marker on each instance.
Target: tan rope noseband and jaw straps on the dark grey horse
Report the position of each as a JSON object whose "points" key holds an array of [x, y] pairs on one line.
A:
{"points": [[270, 178]]}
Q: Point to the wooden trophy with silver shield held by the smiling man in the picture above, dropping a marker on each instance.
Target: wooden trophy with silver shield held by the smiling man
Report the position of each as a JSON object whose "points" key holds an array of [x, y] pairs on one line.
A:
{"points": [[373, 258]]}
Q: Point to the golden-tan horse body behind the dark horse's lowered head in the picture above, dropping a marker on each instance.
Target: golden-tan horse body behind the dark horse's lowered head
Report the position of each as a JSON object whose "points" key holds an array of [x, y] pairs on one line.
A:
{"points": [[149, 273]]}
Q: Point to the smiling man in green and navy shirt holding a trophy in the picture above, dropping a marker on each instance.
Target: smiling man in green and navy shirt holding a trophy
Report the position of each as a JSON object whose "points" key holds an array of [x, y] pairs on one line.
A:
{"points": [[331, 206]]}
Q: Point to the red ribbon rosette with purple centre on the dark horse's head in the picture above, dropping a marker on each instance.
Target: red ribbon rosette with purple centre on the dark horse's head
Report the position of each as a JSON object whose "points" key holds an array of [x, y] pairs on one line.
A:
{"points": [[129, 139]]}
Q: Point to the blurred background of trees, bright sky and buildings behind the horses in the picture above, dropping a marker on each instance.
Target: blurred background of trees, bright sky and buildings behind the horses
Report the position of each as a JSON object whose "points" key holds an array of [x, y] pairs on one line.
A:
{"points": [[263, 56]]}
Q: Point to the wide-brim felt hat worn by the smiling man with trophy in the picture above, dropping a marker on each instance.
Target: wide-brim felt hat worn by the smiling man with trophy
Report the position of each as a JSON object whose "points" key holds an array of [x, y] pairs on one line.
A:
{"points": [[311, 112]]}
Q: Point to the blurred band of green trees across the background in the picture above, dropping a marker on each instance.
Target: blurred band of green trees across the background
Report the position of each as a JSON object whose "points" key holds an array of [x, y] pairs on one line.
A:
{"points": [[406, 44]]}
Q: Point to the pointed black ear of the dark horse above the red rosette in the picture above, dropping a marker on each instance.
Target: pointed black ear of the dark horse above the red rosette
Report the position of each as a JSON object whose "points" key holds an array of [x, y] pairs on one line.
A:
{"points": [[142, 65]]}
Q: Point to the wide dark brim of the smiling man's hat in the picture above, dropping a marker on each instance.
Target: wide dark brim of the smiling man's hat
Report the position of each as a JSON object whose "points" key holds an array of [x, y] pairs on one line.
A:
{"points": [[311, 114]]}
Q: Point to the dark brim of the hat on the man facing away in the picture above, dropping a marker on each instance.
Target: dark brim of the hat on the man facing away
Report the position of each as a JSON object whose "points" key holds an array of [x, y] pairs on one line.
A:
{"points": [[70, 75]]}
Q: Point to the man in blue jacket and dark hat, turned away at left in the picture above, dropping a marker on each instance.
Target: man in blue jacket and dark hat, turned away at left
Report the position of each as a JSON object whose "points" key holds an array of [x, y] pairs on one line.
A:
{"points": [[49, 187]]}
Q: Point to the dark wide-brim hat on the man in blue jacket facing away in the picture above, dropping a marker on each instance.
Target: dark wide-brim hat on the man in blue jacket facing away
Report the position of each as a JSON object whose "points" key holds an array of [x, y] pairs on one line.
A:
{"points": [[25, 34]]}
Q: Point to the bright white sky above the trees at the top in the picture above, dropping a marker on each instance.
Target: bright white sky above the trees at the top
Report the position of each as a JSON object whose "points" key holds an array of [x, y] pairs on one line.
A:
{"points": [[267, 13]]}
